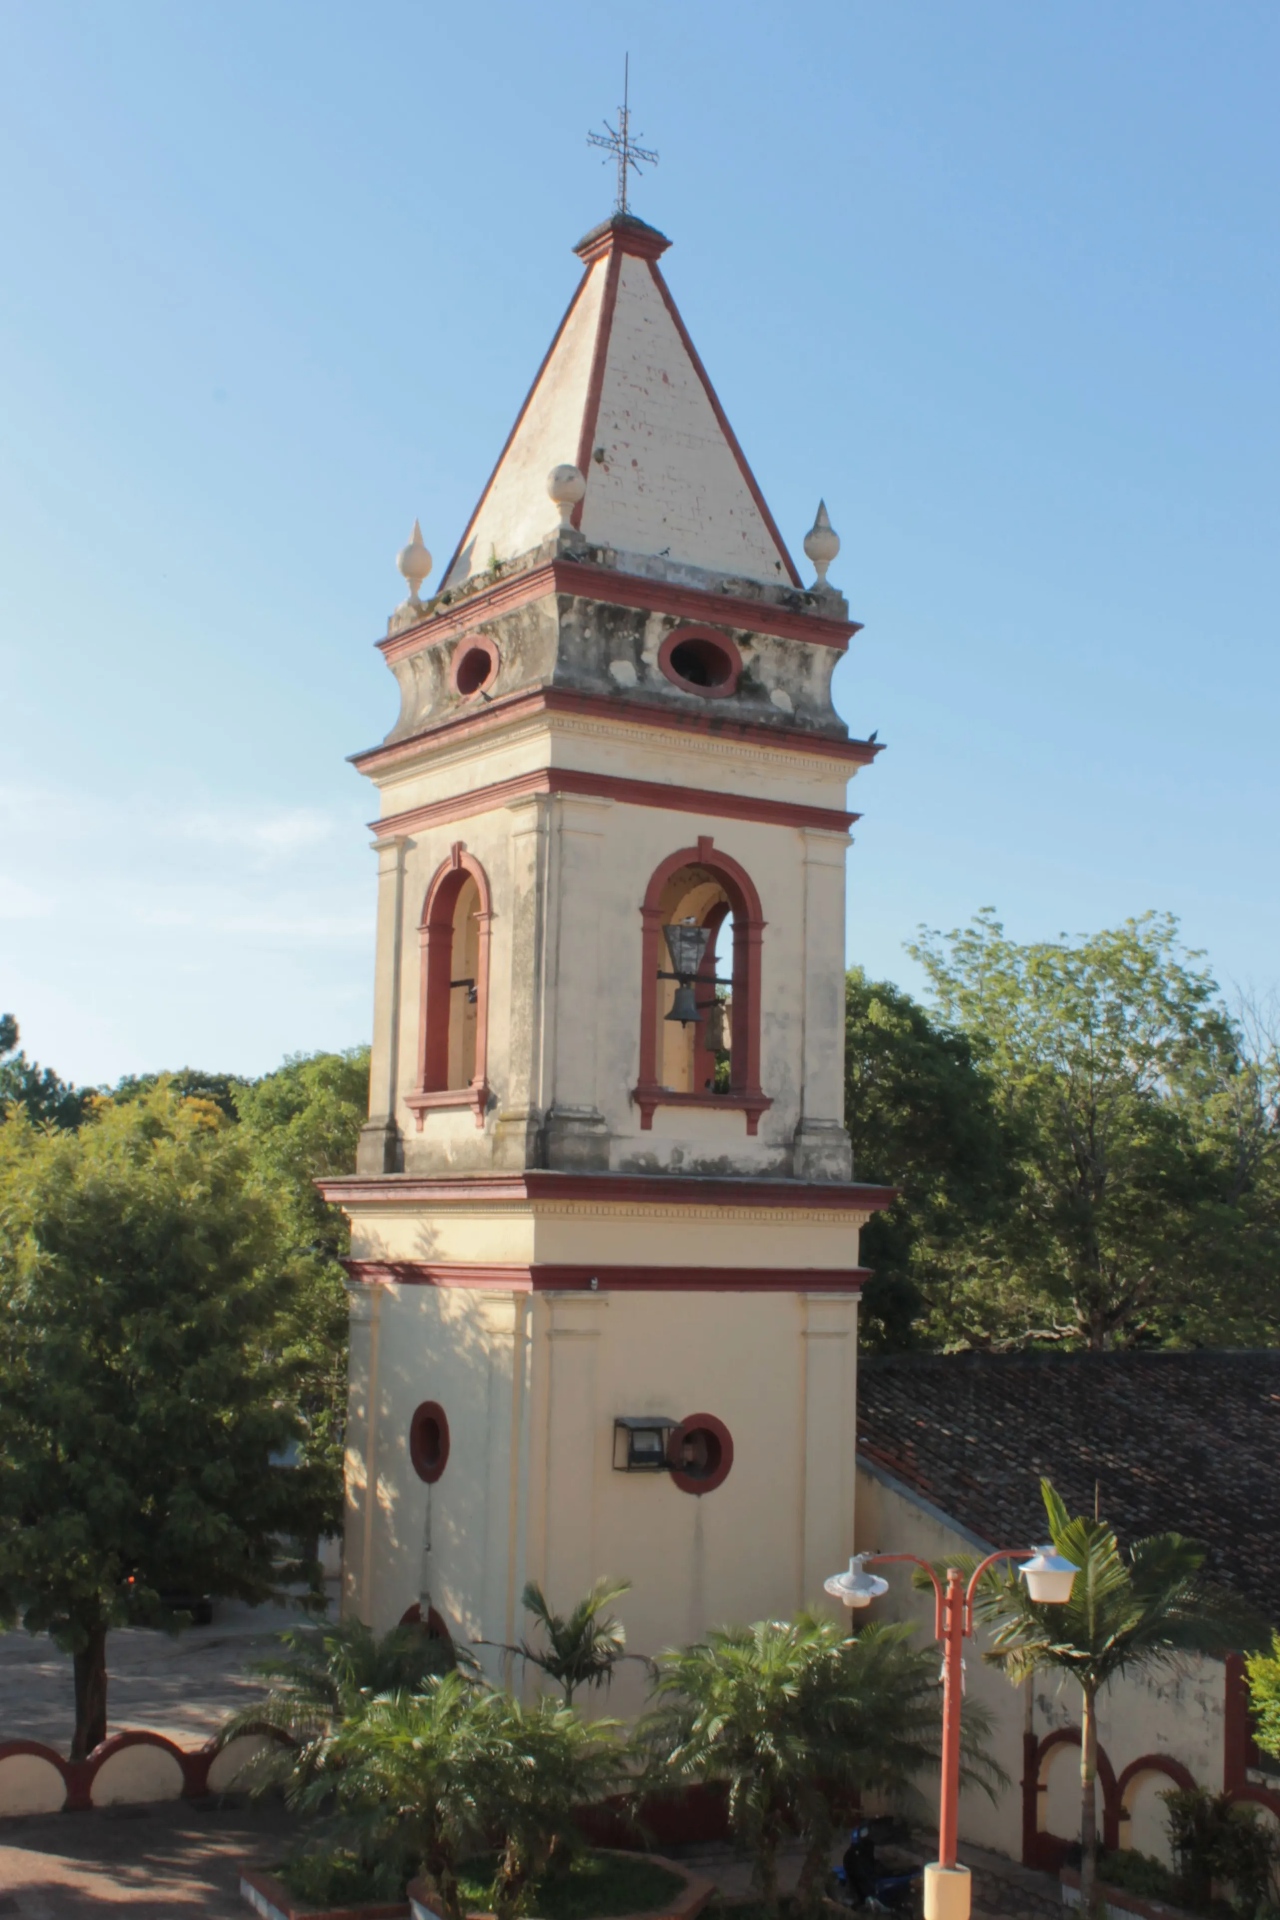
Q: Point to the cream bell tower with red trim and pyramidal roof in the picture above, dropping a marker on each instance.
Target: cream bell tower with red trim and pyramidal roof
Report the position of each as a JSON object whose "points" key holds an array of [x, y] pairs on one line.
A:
{"points": [[605, 1222]]}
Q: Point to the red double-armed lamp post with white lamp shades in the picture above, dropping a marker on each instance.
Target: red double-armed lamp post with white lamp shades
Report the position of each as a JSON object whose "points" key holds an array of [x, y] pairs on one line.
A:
{"points": [[1049, 1579]]}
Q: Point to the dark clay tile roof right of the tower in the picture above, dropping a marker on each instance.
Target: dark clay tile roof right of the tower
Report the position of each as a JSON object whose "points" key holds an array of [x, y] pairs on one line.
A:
{"points": [[1172, 1441]]}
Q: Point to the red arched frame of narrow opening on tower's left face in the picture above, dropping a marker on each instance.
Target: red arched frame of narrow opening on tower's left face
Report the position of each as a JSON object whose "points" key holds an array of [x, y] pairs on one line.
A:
{"points": [[437, 969]]}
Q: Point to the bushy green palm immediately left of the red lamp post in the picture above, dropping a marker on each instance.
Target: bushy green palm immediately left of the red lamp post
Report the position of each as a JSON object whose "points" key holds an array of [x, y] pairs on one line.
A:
{"points": [[795, 1719]]}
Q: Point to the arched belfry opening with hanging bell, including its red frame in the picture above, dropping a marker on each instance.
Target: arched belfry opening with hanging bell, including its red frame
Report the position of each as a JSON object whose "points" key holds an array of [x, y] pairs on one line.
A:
{"points": [[684, 1067]]}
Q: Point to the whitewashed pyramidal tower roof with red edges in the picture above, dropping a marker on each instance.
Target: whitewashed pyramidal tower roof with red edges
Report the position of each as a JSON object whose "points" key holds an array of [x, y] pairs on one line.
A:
{"points": [[625, 396]]}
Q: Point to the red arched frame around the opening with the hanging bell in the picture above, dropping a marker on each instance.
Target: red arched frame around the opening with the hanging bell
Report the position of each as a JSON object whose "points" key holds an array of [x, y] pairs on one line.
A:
{"points": [[749, 926]]}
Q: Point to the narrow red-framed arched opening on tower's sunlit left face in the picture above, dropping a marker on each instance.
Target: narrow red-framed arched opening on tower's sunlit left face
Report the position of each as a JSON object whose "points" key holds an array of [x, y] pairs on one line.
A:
{"points": [[454, 999]]}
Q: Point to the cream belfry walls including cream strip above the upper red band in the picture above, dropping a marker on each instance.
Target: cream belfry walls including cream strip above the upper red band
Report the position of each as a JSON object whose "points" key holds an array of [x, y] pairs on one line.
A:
{"points": [[565, 980]]}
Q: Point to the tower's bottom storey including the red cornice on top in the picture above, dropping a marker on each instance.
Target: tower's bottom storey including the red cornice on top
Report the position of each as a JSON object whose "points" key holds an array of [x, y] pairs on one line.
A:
{"points": [[533, 1314]]}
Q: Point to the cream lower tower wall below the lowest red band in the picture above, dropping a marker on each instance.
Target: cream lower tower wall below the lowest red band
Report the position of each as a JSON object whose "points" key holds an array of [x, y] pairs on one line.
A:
{"points": [[533, 1389]]}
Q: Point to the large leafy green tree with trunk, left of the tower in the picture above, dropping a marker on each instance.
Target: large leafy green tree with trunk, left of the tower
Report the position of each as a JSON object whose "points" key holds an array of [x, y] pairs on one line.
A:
{"points": [[143, 1389]]}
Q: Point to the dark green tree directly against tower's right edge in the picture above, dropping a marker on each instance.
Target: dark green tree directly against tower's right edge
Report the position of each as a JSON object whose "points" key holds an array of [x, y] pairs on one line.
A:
{"points": [[922, 1118]]}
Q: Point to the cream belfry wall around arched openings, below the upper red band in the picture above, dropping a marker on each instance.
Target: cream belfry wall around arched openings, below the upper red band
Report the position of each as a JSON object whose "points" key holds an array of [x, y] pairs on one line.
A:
{"points": [[565, 974]]}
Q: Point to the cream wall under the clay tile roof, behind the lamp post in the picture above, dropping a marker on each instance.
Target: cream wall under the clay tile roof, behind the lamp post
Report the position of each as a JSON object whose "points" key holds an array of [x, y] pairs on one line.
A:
{"points": [[1172, 1714]]}
